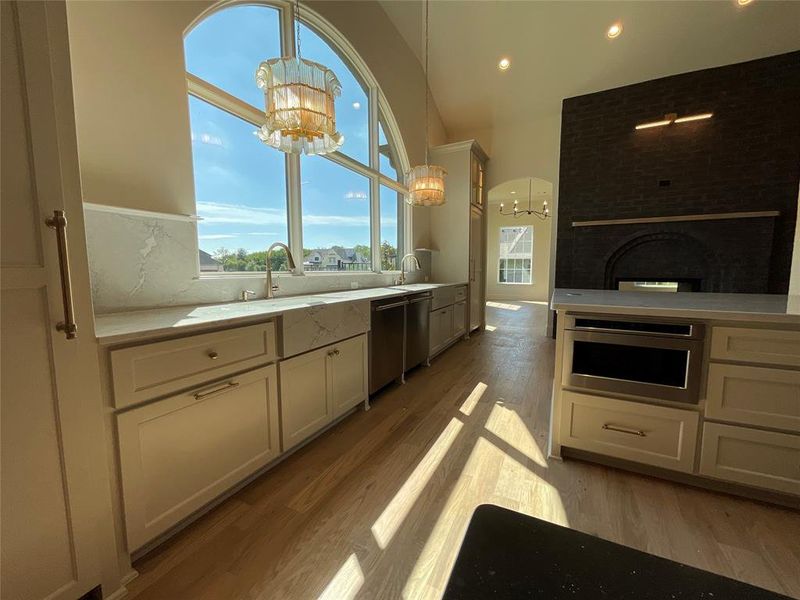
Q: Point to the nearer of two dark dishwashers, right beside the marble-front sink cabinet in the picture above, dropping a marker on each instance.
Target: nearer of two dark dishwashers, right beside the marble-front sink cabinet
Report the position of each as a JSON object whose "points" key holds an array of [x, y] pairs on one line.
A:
{"points": [[386, 342]]}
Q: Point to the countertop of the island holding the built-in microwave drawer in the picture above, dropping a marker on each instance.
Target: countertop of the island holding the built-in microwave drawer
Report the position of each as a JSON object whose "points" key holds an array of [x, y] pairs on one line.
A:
{"points": [[695, 305]]}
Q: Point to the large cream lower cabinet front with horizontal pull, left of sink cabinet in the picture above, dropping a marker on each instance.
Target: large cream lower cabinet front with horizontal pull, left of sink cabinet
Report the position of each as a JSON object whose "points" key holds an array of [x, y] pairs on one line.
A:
{"points": [[180, 453]]}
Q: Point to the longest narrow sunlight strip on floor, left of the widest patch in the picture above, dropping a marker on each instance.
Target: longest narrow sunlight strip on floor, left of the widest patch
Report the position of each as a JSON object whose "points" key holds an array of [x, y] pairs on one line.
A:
{"points": [[394, 514]]}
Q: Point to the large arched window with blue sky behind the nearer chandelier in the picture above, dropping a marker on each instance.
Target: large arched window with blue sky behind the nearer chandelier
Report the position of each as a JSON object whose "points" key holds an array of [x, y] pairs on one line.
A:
{"points": [[340, 212]]}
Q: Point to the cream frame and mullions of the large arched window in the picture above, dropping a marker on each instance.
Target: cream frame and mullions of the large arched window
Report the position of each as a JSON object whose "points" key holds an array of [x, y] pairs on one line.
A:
{"points": [[378, 111]]}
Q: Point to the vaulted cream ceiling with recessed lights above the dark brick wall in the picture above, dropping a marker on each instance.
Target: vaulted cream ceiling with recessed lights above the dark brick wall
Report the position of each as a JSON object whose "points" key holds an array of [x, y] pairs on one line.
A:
{"points": [[559, 49]]}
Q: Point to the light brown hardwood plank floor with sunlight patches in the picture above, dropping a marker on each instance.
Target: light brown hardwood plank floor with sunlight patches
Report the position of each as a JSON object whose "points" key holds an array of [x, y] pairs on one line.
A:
{"points": [[377, 507]]}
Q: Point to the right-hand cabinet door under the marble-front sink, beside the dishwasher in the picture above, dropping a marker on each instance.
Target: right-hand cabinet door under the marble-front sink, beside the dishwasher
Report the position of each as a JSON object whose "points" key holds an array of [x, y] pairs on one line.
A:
{"points": [[349, 379]]}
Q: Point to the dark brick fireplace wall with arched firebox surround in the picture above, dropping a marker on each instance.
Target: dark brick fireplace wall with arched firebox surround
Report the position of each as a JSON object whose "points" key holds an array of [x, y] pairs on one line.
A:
{"points": [[745, 158]]}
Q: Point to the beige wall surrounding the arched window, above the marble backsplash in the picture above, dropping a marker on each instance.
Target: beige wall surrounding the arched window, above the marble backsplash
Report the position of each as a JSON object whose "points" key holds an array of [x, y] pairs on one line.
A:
{"points": [[131, 104]]}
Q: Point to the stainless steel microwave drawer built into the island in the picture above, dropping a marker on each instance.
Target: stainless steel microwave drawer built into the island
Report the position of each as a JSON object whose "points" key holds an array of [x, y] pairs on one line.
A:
{"points": [[647, 358]]}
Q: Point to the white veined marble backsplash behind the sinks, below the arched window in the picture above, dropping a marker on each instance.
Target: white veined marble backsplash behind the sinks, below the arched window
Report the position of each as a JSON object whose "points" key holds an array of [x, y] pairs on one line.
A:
{"points": [[143, 260]]}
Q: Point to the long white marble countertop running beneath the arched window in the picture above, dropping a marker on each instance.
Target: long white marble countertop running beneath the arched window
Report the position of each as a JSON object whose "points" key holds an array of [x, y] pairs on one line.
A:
{"points": [[123, 327]]}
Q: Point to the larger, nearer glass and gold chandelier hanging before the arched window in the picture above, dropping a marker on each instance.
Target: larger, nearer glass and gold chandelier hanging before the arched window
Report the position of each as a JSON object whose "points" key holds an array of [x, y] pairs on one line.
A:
{"points": [[300, 110]]}
